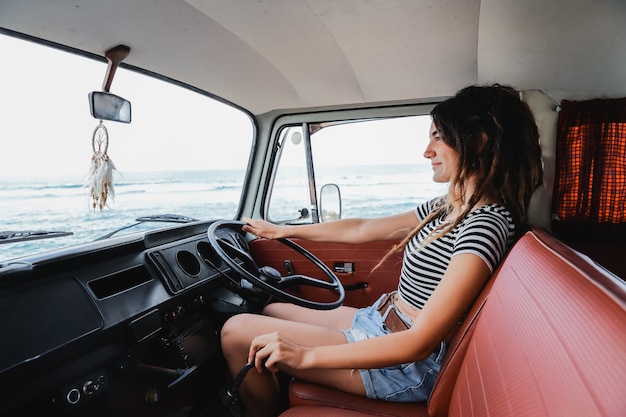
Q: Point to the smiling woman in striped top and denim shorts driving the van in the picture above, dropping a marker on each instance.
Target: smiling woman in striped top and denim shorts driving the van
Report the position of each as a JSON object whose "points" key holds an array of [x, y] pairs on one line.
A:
{"points": [[485, 143]]}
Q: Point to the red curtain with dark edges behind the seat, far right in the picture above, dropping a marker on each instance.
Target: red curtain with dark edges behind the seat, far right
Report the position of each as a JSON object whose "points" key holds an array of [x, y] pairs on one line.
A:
{"points": [[590, 183]]}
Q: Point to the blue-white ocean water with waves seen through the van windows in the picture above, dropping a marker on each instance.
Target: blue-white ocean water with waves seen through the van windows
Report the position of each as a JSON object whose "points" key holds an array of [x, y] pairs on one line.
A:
{"points": [[62, 203]]}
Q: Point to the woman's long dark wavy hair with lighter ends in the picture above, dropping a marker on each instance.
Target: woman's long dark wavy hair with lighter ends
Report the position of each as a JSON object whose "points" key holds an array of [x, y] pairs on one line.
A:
{"points": [[497, 141]]}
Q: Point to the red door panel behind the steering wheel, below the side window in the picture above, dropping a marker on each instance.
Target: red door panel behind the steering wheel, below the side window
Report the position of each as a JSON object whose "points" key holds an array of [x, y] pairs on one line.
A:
{"points": [[362, 285]]}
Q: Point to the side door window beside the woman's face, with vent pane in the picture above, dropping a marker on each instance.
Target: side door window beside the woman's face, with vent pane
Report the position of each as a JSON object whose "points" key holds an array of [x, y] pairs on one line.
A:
{"points": [[377, 164]]}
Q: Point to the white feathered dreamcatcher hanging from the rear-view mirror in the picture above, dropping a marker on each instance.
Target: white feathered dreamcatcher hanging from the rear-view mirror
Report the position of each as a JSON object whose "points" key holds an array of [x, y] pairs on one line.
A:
{"points": [[100, 177]]}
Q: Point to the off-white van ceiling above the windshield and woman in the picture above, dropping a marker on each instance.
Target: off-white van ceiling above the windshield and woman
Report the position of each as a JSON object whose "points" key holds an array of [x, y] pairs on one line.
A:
{"points": [[279, 54]]}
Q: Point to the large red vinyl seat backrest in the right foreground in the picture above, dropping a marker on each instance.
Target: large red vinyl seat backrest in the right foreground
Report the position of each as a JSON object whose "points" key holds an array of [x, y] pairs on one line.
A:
{"points": [[548, 340]]}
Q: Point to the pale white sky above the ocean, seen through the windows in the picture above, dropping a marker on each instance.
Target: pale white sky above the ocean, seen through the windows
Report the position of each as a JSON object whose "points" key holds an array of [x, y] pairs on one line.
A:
{"points": [[46, 127]]}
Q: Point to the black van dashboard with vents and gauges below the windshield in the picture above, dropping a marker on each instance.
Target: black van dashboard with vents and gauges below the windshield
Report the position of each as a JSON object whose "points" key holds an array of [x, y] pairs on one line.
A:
{"points": [[81, 323]]}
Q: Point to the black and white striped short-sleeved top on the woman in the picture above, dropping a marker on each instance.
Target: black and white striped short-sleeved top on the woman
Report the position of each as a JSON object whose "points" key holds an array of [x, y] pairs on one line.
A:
{"points": [[487, 232]]}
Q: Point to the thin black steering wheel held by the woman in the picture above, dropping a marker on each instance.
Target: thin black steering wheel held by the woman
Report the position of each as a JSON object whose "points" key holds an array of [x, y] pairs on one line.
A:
{"points": [[268, 278]]}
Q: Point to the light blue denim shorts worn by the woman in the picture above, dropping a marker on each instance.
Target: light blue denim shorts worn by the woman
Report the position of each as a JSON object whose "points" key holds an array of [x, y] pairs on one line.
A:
{"points": [[409, 382]]}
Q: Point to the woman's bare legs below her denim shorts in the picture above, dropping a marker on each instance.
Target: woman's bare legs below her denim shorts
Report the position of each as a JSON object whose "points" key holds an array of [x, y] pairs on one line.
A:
{"points": [[260, 391]]}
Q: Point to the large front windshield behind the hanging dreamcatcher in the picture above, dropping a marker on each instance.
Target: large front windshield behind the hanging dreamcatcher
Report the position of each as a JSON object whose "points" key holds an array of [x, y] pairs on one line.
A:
{"points": [[182, 157]]}
